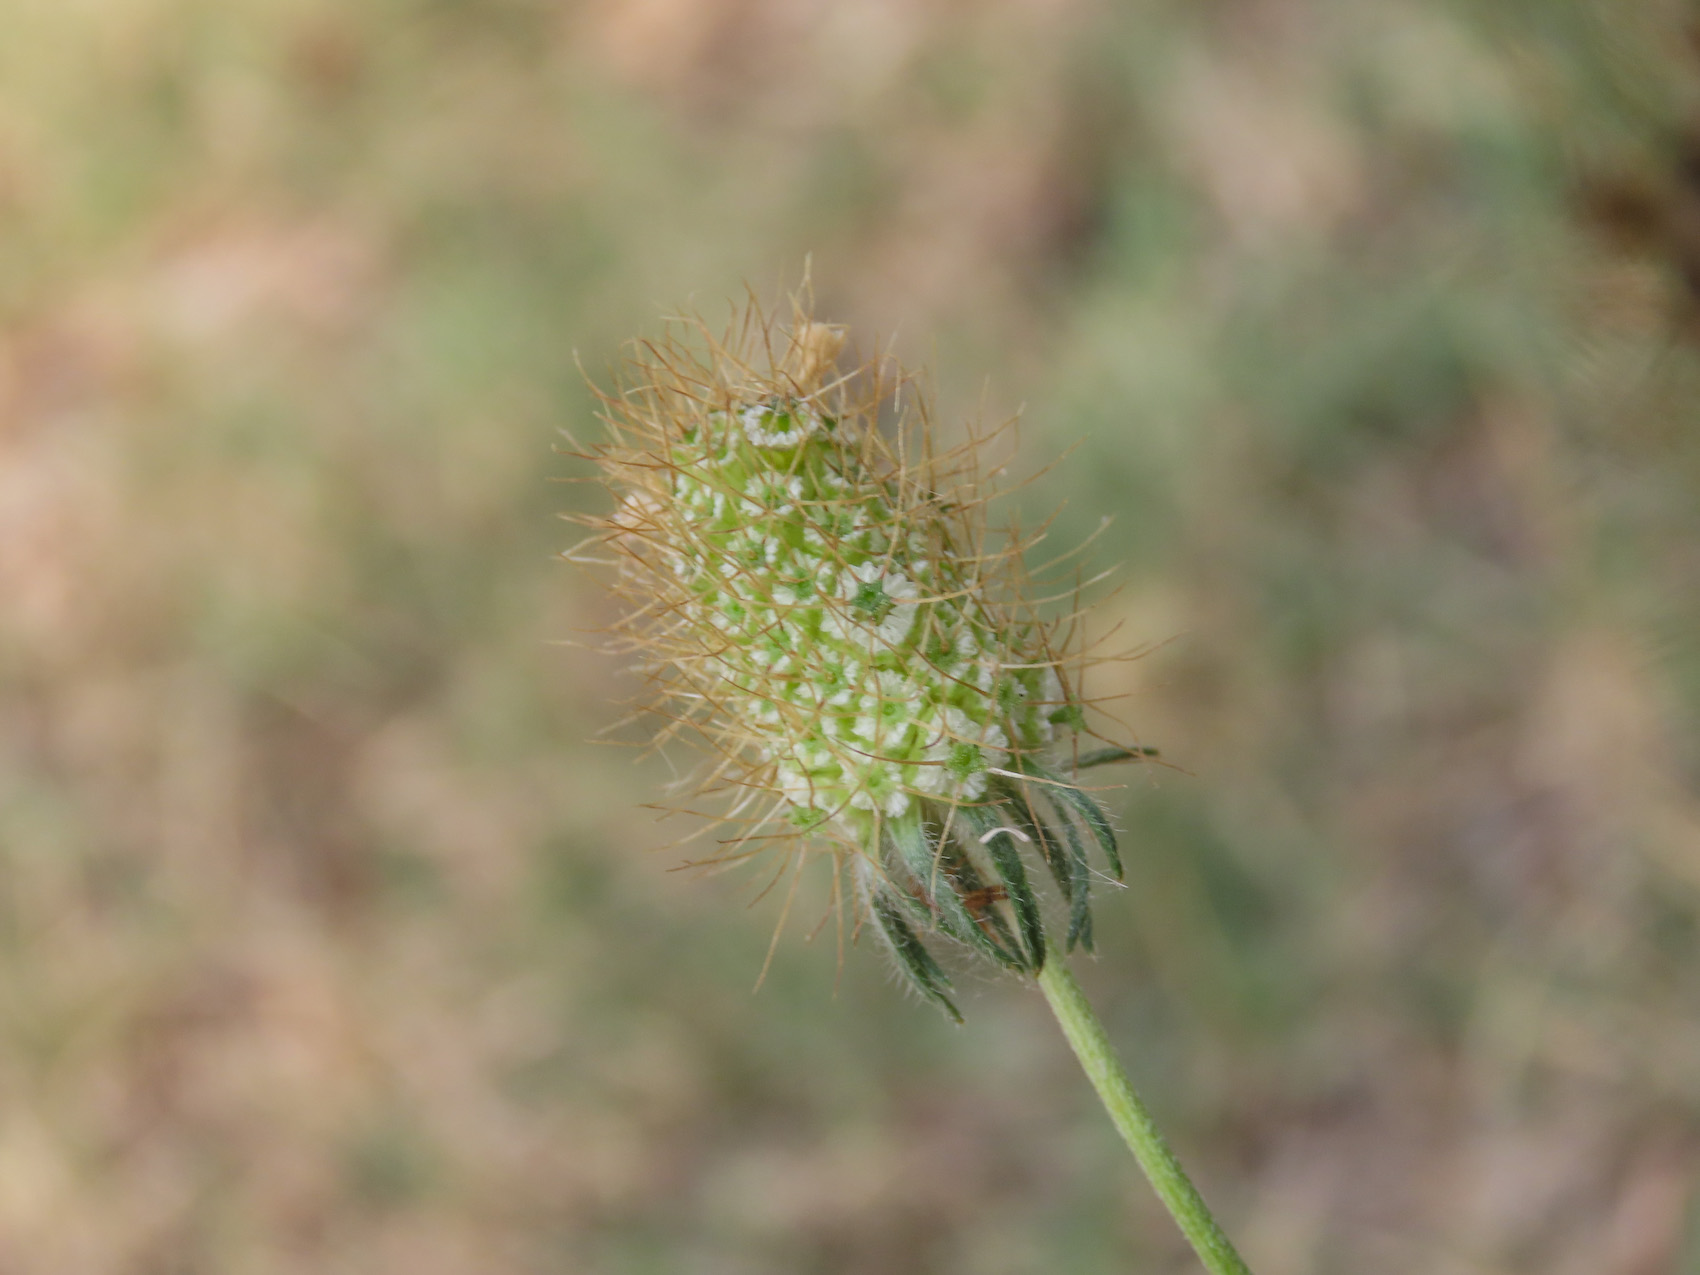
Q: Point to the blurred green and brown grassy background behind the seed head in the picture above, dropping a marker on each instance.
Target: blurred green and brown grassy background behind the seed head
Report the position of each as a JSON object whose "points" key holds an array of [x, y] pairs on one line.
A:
{"points": [[332, 944]]}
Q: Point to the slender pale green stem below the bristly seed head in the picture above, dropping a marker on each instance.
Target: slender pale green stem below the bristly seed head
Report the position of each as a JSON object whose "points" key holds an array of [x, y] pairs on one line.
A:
{"points": [[1133, 1121]]}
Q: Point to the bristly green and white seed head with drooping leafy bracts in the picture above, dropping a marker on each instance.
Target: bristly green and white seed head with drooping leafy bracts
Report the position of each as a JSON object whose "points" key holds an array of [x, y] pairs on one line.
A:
{"points": [[815, 592]]}
